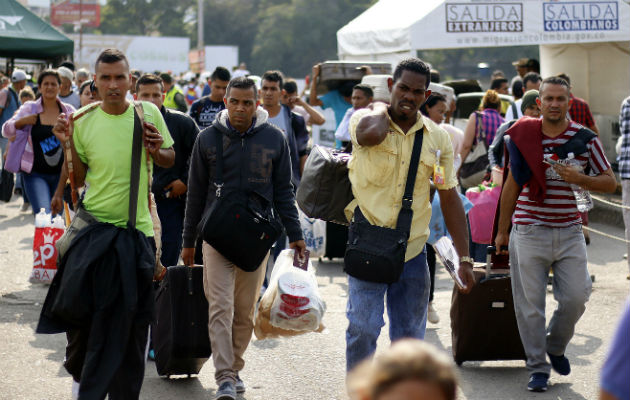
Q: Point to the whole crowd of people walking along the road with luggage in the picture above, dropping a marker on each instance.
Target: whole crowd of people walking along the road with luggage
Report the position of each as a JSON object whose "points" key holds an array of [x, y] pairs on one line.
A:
{"points": [[80, 125]]}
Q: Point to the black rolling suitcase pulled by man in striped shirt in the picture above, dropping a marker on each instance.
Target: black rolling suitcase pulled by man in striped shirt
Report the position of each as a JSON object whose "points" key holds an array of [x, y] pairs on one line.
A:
{"points": [[483, 322]]}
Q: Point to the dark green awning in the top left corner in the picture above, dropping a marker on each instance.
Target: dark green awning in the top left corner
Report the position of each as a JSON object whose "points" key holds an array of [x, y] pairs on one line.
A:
{"points": [[24, 35]]}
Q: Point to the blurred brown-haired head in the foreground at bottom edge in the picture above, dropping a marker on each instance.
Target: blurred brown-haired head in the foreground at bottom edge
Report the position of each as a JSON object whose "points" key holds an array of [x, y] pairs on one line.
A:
{"points": [[409, 370]]}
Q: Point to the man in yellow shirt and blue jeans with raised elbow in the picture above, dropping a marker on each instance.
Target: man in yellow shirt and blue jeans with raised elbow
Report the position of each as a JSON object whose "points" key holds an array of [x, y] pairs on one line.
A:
{"points": [[382, 138]]}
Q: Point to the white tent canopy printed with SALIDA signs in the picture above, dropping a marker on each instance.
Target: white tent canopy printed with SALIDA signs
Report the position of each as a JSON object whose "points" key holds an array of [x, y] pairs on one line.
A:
{"points": [[400, 27]]}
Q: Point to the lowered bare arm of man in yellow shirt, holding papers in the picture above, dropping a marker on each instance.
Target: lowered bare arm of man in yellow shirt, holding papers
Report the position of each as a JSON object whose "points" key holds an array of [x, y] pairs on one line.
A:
{"points": [[455, 219]]}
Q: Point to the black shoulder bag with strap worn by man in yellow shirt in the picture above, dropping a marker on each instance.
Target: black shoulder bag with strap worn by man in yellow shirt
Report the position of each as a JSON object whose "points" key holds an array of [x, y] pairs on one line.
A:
{"points": [[375, 253]]}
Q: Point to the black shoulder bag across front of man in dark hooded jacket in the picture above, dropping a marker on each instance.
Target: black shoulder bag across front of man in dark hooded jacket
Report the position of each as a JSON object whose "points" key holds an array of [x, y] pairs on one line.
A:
{"points": [[241, 226]]}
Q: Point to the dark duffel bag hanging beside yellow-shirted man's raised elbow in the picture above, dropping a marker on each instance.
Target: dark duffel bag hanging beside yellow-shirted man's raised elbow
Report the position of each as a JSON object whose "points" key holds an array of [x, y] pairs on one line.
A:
{"points": [[324, 190]]}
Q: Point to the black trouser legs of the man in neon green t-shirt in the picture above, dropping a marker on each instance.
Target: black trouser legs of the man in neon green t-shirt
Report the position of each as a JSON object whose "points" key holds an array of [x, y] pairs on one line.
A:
{"points": [[127, 381]]}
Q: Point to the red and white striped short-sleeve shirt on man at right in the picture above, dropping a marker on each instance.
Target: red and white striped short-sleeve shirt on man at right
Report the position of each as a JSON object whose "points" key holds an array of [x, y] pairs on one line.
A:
{"points": [[559, 209]]}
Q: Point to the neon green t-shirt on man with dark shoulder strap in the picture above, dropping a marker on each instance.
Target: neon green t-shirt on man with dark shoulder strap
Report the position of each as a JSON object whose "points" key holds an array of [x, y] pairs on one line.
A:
{"points": [[103, 142]]}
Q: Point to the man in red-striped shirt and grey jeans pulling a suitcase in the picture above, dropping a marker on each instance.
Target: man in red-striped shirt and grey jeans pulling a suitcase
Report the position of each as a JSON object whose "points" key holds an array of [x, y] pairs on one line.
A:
{"points": [[538, 199]]}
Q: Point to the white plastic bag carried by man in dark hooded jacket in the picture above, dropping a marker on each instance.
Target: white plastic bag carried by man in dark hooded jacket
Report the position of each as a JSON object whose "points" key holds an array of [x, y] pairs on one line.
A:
{"points": [[291, 304]]}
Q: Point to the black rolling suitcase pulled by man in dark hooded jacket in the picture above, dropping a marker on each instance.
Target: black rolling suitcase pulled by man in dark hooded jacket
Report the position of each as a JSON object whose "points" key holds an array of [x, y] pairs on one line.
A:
{"points": [[180, 330]]}
